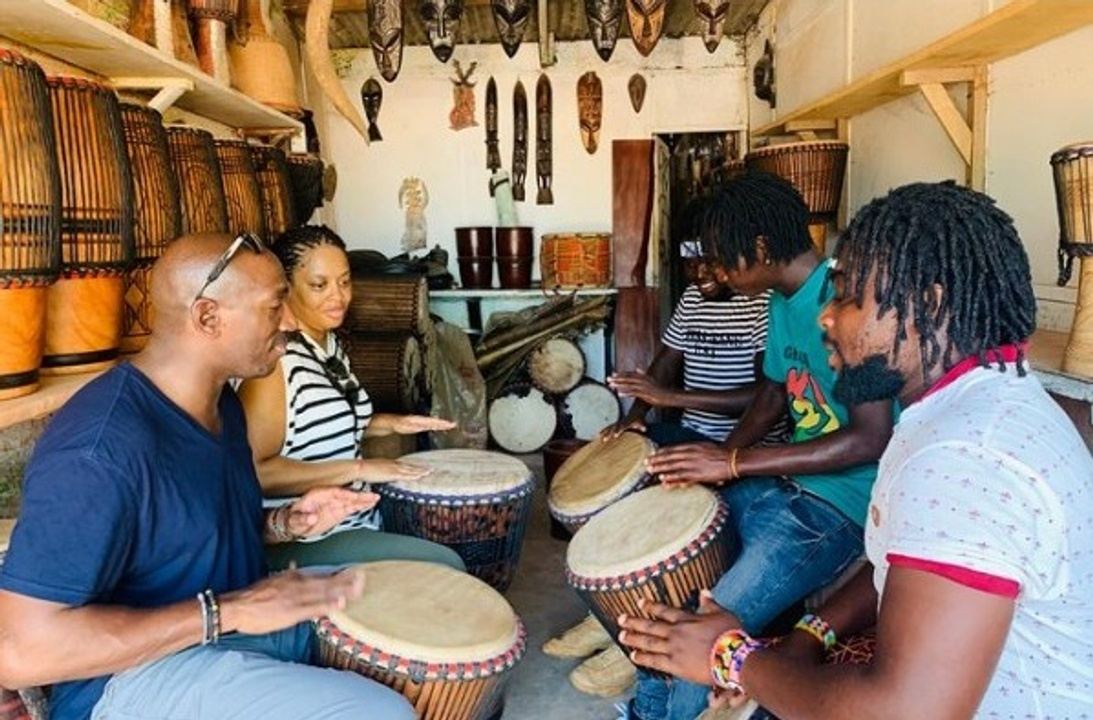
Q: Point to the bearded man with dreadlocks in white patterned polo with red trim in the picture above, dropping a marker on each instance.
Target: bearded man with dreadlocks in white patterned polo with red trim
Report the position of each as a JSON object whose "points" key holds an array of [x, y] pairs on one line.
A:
{"points": [[982, 549]]}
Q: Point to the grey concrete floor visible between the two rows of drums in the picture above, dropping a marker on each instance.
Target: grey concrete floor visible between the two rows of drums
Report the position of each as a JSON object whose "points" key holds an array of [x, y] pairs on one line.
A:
{"points": [[539, 689]]}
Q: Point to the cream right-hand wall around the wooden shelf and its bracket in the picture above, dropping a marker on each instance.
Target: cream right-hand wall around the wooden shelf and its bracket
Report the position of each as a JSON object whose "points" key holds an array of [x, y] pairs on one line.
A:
{"points": [[1039, 102]]}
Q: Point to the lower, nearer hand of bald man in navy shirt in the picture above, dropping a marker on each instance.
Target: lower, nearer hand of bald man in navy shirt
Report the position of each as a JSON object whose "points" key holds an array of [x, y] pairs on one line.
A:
{"points": [[283, 600]]}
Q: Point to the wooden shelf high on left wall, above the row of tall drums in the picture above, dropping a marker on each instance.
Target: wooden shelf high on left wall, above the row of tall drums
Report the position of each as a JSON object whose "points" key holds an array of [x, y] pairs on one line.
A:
{"points": [[72, 36]]}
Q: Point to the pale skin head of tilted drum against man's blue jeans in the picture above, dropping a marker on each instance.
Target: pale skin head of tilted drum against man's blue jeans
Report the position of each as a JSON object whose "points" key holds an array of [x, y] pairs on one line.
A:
{"points": [[641, 530]]}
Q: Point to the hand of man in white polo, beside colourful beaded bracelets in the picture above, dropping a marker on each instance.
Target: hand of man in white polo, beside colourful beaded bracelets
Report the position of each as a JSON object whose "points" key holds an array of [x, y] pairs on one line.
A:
{"points": [[677, 642]]}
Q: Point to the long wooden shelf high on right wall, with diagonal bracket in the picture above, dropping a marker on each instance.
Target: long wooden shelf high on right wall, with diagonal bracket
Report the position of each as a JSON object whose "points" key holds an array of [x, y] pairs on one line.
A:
{"points": [[1014, 29]]}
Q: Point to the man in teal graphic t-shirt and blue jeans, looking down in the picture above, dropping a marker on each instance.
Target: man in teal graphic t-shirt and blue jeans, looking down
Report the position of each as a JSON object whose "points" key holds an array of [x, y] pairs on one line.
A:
{"points": [[797, 509]]}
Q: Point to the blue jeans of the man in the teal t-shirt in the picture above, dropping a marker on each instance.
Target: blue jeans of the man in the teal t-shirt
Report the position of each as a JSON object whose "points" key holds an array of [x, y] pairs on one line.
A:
{"points": [[792, 544]]}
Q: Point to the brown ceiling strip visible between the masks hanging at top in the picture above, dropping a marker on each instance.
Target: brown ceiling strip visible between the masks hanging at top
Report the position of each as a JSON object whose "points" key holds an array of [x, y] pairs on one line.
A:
{"points": [[350, 26]]}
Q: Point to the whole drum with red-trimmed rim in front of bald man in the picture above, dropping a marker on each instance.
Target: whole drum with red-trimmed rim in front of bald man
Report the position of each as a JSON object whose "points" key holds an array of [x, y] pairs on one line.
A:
{"points": [[443, 639]]}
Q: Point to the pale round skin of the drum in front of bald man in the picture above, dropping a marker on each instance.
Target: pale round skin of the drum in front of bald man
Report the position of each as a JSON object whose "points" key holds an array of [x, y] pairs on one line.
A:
{"points": [[430, 613]]}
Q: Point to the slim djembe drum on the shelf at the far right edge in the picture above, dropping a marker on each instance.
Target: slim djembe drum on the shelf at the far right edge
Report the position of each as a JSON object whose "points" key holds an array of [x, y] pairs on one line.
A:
{"points": [[1073, 168]]}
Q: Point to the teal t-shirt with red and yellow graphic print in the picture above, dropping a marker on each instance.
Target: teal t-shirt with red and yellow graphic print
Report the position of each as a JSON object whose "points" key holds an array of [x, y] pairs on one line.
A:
{"points": [[797, 358]]}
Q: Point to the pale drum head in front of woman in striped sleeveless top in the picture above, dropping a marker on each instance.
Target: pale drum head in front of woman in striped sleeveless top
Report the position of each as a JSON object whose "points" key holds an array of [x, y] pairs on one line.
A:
{"points": [[465, 474]]}
